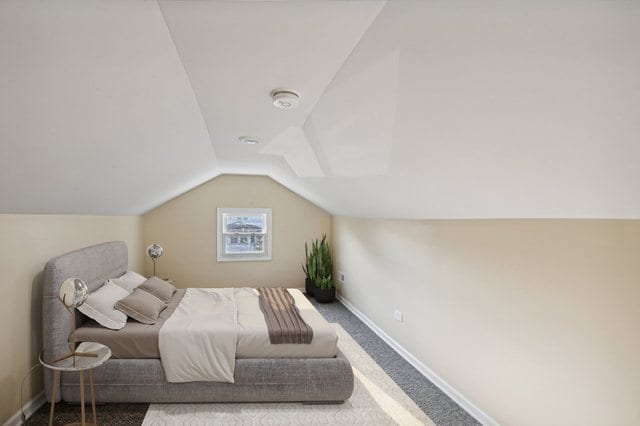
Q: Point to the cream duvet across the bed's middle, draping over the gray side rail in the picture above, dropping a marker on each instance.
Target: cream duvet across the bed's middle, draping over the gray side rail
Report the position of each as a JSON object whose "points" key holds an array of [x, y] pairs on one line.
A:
{"points": [[198, 341]]}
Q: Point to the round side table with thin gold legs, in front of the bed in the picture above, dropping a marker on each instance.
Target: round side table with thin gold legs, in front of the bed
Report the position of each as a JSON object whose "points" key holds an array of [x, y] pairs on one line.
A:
{"points": [[89, 355]]}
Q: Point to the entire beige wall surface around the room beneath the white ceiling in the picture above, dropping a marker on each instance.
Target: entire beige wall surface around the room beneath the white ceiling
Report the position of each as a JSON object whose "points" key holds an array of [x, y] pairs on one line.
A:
{"points": [[534, 321]]}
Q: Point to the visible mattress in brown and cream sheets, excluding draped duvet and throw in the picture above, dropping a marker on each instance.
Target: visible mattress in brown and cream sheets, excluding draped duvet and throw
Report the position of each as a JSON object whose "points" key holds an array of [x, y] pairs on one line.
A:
{"points": [[137, 340]]}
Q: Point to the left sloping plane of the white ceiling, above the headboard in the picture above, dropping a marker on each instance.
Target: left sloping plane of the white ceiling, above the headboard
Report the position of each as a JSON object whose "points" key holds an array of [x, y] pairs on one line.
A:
{"points": [[96, 111]]}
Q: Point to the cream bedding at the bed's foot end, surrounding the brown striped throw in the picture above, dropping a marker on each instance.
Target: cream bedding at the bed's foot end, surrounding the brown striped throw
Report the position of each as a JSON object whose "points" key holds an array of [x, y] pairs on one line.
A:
{"points": [[253, 335]]}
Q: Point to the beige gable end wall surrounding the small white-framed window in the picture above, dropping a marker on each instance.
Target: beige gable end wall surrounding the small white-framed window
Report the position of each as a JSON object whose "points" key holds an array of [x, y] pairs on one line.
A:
{"points": [[186, 229]]}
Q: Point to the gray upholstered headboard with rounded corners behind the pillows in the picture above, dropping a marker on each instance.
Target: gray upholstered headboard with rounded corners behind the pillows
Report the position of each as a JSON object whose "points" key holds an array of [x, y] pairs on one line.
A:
{"points": [[93, 265]]}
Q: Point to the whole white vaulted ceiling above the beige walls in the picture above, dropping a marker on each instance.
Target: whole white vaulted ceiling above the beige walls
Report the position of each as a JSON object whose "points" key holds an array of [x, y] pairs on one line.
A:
{"points": [[408, 109]]}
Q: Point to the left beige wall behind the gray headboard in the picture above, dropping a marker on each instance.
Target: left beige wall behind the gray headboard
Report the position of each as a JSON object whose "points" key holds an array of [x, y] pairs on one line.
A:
{"points": [[27, 242]]}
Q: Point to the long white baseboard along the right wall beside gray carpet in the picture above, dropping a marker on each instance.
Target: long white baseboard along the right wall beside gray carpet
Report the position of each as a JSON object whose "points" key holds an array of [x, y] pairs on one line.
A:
{"points": [[445, 387]]}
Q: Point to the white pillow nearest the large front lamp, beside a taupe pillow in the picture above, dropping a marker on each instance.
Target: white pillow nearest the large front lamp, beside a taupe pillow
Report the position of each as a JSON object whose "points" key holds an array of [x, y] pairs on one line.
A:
{"points": [[100, 306]]}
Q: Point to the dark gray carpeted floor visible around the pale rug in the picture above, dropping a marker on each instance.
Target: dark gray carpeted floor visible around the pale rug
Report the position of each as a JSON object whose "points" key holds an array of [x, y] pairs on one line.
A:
{"points": [[438, 406]]}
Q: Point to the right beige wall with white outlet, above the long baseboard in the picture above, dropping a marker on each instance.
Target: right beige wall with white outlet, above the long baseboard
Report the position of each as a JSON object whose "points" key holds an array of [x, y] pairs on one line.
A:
{"points": [[537, 322]]}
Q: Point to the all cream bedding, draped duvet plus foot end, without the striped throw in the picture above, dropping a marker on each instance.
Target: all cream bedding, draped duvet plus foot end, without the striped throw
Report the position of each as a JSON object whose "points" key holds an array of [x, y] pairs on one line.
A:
{"points": [[211, 327]]}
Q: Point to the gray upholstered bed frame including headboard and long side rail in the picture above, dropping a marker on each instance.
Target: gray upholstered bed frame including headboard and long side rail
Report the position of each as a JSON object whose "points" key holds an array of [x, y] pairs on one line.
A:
{"points": [[143, 380]]}
